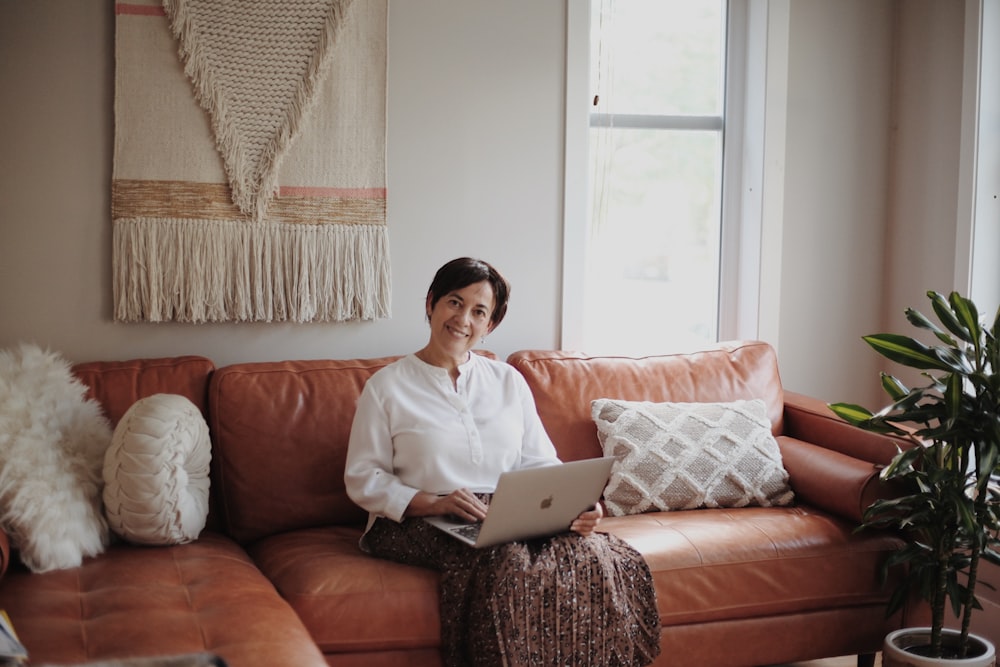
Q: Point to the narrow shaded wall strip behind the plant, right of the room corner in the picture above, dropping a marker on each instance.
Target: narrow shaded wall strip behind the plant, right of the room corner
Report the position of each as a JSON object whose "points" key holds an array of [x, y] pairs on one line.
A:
{"points": [[927, 127]]}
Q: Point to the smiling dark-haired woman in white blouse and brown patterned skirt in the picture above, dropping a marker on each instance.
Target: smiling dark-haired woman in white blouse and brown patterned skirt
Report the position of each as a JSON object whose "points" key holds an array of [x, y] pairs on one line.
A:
{"points": [[431, 435]]}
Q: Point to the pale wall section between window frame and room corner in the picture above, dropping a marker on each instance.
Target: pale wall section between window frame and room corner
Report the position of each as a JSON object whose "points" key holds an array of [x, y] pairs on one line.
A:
{"points": [[835, 194]]}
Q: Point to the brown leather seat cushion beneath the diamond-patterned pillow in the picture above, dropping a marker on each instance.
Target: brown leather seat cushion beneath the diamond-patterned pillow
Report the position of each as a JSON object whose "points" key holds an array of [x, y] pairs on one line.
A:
{"points": [[719, 564]]}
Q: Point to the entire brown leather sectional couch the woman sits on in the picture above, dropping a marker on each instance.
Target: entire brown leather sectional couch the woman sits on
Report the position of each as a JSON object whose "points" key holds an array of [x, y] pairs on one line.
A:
{"points": [[278, 579]]}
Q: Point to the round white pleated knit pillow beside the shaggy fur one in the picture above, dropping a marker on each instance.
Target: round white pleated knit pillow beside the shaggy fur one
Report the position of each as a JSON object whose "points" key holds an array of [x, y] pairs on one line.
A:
{"points": [[156, 472]]}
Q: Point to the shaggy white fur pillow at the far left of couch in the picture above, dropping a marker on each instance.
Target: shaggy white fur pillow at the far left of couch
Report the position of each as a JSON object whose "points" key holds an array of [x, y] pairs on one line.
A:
{"points": [[52, 444]]}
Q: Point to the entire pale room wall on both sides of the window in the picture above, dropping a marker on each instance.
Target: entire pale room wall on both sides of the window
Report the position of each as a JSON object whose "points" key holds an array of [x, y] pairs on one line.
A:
{"points": [[475, 166]]}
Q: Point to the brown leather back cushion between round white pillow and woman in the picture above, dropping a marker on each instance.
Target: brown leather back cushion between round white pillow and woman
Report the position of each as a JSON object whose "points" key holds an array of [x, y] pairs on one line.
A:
{"points": [[280, 432]]}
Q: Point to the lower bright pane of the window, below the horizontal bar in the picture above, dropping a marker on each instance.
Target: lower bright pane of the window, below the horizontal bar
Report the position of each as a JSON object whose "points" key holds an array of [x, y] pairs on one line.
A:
{"points": [[652, 262]]}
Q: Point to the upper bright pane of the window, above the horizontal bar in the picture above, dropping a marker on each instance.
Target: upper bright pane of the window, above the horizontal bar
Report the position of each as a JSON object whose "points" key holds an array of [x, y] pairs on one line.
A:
{"points": [[658, 56]]}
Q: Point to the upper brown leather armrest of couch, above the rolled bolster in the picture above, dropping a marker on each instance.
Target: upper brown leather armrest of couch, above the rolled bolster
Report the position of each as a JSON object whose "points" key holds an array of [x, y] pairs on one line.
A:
{"points": [[811, 420]]}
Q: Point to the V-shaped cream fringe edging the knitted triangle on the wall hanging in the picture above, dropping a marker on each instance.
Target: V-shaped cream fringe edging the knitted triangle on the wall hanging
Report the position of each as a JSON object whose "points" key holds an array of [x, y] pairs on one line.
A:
{"points": [[253, 179]]}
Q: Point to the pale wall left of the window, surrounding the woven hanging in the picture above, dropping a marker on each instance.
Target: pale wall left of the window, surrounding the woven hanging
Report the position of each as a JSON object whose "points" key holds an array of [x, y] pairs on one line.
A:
{"points": [[475, 127]]}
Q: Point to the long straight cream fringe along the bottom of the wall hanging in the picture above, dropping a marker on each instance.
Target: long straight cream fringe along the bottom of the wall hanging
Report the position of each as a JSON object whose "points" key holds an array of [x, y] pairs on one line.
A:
{"points": [[232, 271]]}
